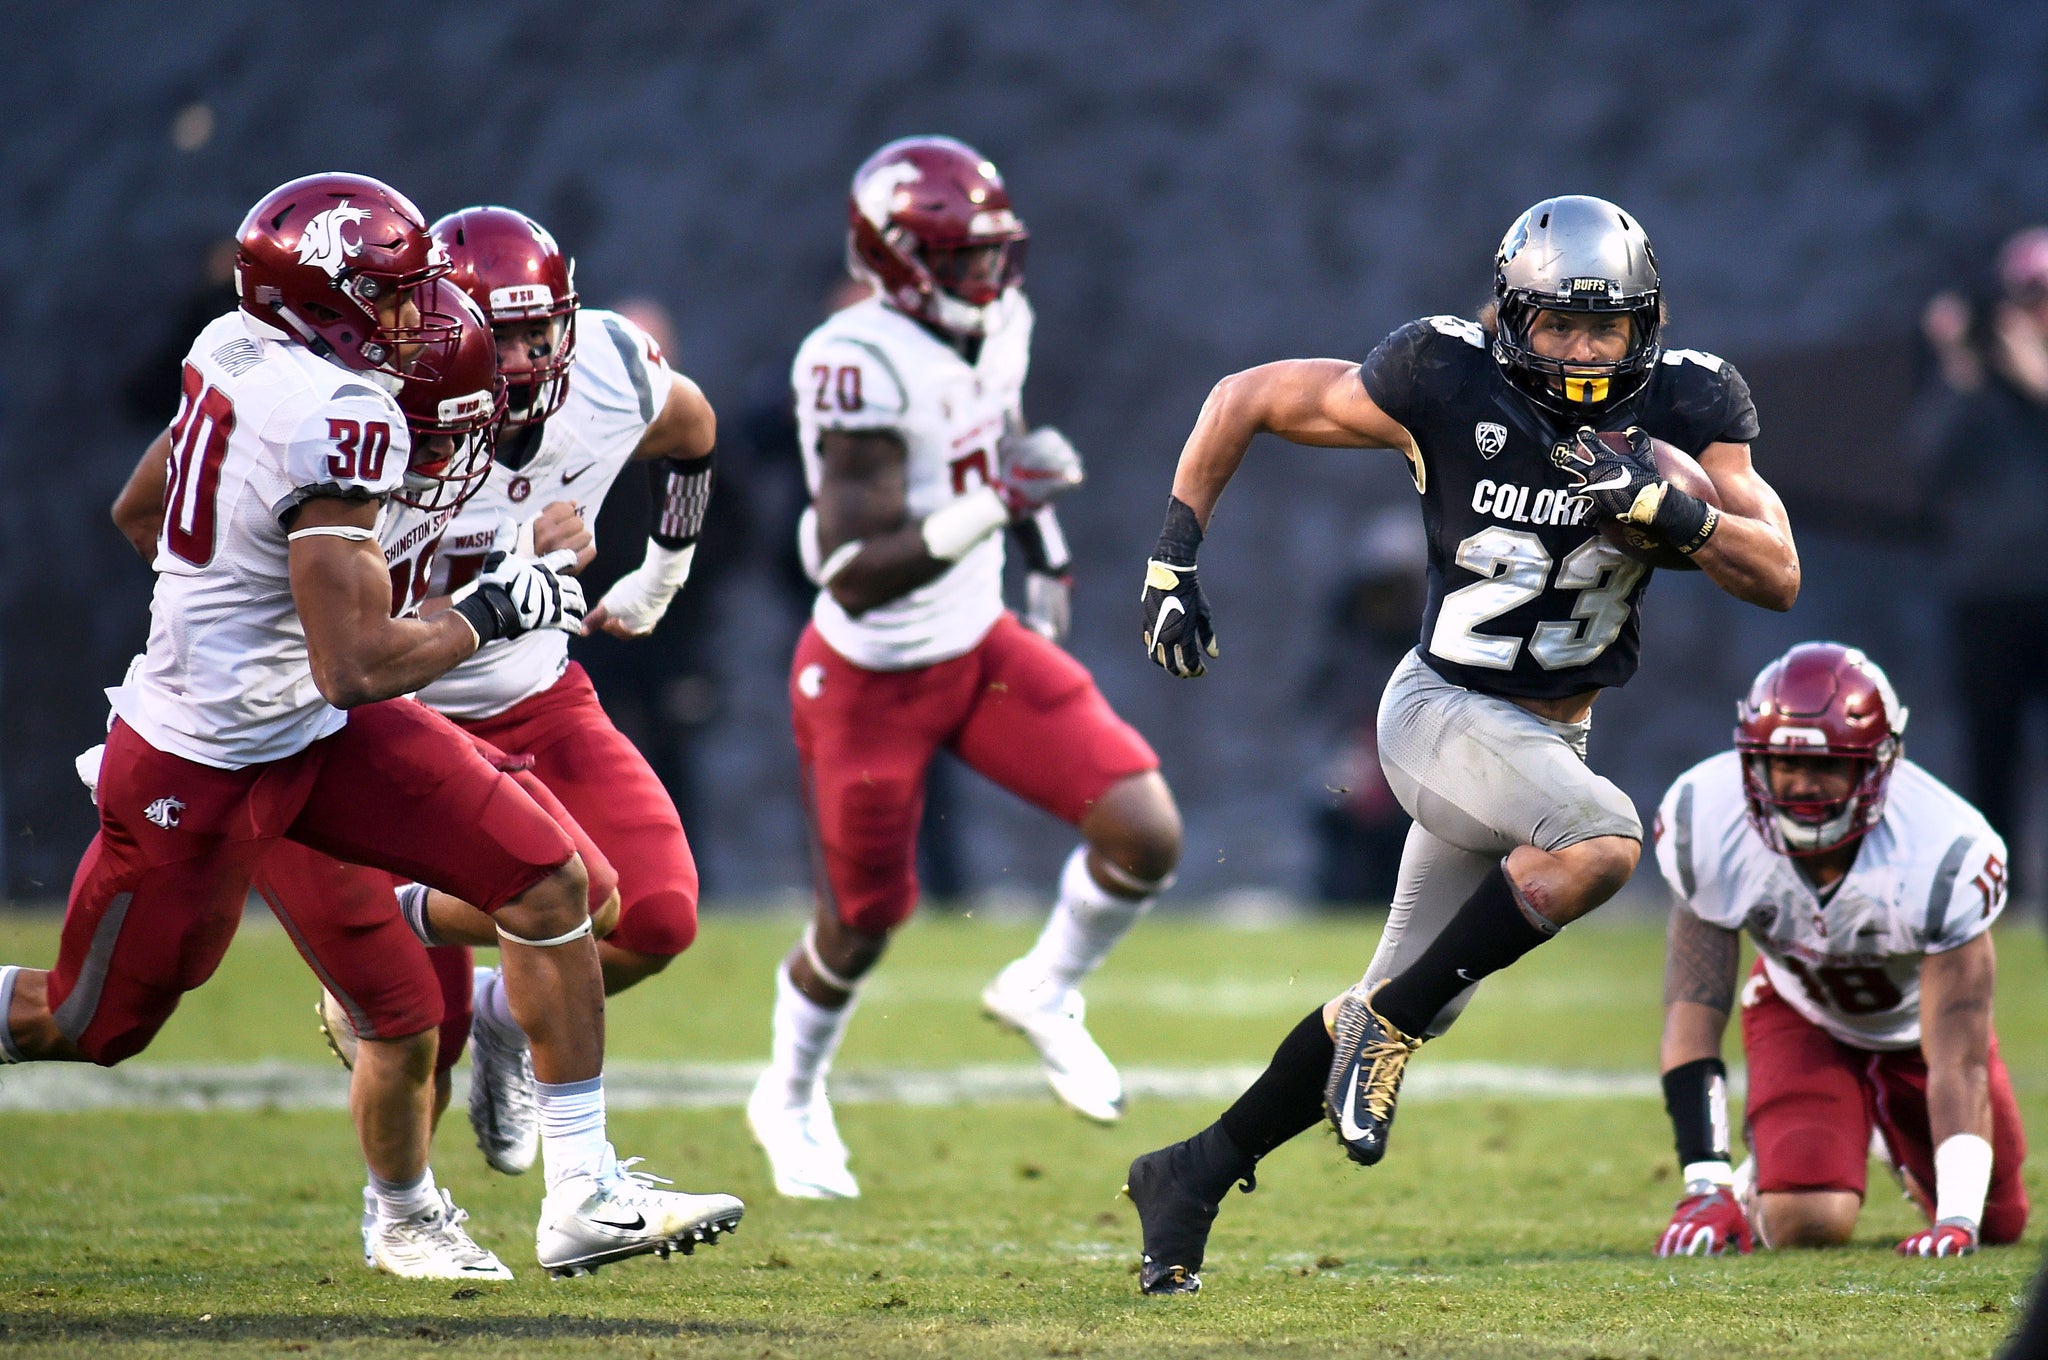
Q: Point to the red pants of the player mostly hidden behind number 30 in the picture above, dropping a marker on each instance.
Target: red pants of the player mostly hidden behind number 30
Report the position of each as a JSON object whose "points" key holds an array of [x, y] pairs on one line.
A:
{"points": [[347, 927]]}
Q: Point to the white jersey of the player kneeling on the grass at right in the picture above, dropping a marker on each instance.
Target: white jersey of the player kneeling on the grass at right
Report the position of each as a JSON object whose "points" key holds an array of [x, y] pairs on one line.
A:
{"points": [[1926, 880]]}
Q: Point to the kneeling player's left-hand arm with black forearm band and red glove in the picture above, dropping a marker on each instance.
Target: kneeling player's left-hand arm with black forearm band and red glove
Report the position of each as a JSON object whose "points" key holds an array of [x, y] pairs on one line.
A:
{"points": [[1701, 970]]}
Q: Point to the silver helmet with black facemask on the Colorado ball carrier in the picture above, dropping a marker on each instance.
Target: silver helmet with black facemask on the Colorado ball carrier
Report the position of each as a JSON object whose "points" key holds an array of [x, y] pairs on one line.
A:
{"points": [[1576, 255]]}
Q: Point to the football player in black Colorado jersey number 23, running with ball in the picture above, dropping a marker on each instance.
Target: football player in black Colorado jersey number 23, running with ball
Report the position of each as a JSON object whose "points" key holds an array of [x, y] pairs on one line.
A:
{"points": [[1531, 615]]}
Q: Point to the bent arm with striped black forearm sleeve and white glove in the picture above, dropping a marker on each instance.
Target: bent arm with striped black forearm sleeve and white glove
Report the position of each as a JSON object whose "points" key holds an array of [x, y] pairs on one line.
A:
{"points": [[679, 450]]}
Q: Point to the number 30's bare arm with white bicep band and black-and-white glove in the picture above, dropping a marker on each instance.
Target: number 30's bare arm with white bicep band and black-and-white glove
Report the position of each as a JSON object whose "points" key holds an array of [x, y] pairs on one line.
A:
{"points": [[343, 593]]}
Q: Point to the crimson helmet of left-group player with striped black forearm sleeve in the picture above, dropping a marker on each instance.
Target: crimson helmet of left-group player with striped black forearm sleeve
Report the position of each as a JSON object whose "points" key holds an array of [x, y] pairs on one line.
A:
{"points": [[517, 273]]}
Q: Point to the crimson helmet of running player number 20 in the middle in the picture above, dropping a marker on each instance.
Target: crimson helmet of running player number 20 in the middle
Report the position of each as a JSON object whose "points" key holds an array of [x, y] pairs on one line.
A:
{"points": [[933, 230]]}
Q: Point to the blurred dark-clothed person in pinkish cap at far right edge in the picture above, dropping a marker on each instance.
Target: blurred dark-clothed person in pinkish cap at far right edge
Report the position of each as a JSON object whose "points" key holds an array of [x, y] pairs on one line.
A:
{"points": [[1981, 433]]}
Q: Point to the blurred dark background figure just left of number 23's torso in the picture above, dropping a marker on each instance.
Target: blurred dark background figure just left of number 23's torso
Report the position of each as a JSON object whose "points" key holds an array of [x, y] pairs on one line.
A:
{"points": [[1369, 626]]}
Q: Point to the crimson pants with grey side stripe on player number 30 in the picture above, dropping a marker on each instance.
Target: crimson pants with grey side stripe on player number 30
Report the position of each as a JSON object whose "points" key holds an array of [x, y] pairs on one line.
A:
{"points": [[161, 890]]}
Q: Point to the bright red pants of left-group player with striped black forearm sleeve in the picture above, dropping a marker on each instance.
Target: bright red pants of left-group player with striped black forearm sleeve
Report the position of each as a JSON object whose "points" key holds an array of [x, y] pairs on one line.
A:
{"points": [[617, 800]]}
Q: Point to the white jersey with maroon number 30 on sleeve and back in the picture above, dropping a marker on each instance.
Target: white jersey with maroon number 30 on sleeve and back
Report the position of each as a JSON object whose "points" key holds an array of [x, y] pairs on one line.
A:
{"points": [[263, 425]]}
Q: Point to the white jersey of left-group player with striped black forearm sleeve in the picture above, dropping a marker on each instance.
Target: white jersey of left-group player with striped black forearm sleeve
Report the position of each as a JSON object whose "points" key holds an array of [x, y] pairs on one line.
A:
{"points": [[617, 386]]}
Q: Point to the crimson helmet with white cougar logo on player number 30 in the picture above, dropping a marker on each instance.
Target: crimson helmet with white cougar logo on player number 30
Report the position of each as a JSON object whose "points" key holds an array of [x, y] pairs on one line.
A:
{"points": [[318, 255]]}
